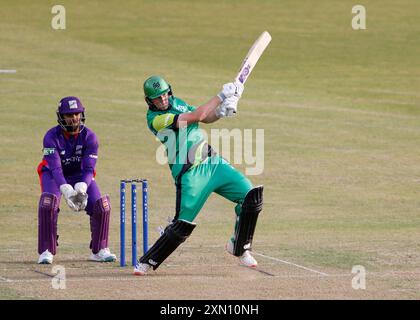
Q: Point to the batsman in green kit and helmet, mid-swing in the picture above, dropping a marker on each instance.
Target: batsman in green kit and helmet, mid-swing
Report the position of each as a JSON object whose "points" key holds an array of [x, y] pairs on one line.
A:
{"points": [[198, 171]]}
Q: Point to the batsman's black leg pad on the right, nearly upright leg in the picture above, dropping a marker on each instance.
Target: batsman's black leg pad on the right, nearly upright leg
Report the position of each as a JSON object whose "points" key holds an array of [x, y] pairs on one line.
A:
{"points": [[251, 207]]}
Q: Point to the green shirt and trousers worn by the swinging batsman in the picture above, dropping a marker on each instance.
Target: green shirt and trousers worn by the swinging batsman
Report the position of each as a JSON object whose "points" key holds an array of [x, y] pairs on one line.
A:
{"points": [[204, 176]]}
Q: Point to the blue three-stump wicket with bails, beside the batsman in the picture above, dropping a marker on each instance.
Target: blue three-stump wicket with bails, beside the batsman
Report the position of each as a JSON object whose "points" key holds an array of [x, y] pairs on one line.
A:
{"points": [[133, 183]]}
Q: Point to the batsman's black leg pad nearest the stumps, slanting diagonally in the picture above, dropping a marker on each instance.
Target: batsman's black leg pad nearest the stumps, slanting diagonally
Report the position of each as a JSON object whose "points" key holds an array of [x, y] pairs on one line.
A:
{"points": [[175, 234]]}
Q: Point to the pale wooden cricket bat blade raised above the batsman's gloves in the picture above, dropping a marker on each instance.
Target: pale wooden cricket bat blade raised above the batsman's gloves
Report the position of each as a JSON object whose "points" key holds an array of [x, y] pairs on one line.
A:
{"points": [[252, 57]]}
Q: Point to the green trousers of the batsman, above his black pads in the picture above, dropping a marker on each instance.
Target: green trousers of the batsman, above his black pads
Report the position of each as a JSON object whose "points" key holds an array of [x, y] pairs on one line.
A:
{"points": [[215, 174]]}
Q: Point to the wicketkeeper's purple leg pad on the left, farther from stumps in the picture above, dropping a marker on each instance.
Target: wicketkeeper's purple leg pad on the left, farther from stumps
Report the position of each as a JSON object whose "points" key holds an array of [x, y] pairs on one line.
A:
{"points": [[47, 223]]}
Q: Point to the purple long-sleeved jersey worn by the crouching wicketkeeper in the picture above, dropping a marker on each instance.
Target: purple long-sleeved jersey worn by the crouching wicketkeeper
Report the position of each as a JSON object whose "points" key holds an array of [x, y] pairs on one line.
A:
{"points": [[69, 156]]}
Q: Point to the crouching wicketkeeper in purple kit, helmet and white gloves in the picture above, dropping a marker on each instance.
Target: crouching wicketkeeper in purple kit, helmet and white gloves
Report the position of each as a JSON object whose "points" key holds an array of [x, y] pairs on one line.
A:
{"points": [[68, 169]]}
